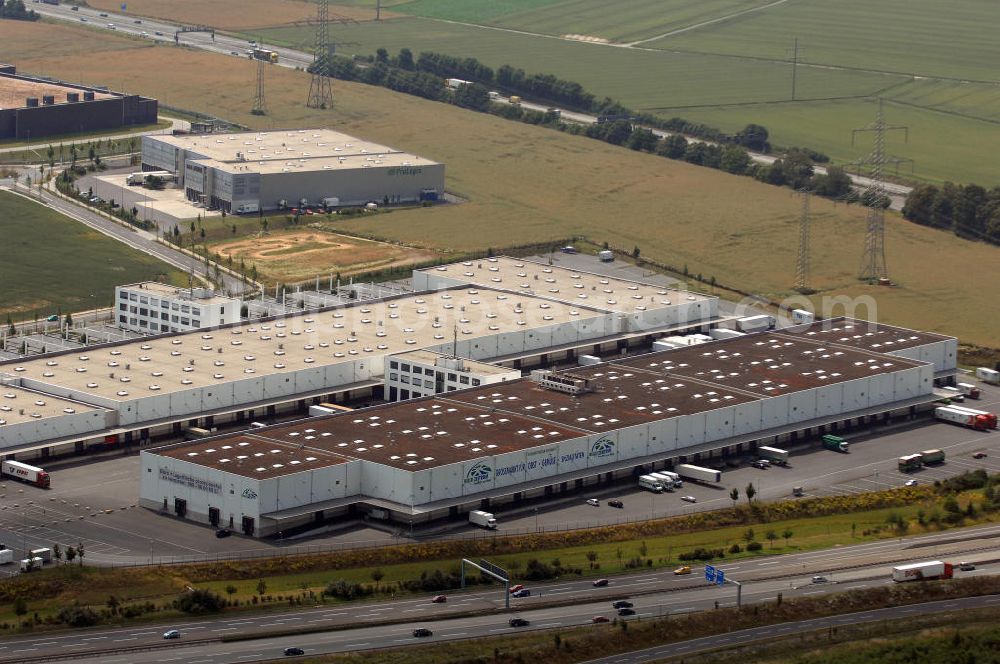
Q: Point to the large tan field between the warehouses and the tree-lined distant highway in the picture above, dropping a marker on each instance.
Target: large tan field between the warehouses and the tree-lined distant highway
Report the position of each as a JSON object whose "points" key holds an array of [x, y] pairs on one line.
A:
{"points": [[527, 184]]}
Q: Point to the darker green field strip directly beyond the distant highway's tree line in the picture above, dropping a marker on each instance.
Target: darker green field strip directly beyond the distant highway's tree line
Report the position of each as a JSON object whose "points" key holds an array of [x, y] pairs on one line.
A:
{"points": [[644, 79]]}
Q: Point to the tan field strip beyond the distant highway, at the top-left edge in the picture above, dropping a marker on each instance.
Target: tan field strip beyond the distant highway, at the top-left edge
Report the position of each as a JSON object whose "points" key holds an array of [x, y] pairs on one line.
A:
{"points": [[231, 14]]}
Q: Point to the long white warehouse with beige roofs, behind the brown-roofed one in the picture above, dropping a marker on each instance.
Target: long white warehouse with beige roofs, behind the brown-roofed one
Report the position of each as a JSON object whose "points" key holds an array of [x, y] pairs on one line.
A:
{"points": [[156, 387]]}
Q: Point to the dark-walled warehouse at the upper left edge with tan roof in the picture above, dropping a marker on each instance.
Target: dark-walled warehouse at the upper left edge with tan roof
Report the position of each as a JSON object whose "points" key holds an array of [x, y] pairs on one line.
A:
{"points": [[34, 107]]}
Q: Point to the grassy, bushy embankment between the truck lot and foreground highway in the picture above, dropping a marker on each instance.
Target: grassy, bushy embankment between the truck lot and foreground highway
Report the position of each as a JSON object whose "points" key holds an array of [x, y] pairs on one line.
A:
{"points": [[39, 600]]}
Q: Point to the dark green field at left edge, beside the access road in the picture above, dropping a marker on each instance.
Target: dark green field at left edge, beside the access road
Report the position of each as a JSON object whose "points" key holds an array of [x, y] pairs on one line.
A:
{"points": [[50, 263]]}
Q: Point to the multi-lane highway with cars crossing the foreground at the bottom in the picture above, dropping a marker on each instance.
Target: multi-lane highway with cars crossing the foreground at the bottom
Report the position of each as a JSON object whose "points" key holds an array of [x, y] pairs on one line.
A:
{"points": [[654, 593]]}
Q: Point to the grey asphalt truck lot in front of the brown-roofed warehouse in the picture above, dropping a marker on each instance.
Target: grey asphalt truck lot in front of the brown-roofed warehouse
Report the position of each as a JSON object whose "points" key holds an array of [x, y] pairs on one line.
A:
{"points": [[95, 503]]}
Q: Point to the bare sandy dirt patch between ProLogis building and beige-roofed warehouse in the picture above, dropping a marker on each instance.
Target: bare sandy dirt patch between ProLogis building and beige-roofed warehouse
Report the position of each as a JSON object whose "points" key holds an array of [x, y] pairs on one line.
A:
{"points": [[295, 255]]}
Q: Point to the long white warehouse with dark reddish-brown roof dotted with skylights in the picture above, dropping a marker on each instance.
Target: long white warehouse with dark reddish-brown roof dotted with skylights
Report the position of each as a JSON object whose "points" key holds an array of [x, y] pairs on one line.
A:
{"points": [[554, 432]]}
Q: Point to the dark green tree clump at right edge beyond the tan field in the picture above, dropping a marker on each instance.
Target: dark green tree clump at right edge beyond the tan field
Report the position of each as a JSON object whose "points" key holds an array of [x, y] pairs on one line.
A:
{"points": [[969, 211]]}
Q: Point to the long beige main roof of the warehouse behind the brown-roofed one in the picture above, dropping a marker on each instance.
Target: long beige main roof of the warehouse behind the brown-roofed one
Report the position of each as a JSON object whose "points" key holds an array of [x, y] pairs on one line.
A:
{"points": [[169, 363]]}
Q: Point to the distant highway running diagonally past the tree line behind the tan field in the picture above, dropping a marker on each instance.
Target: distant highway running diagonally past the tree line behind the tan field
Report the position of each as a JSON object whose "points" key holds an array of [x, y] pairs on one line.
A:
{"points": [[300, 60]]}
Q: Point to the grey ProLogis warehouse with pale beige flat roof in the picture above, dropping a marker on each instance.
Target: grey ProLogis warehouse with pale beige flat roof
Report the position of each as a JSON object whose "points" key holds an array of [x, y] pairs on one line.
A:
{"points": [[272, 170]]}
